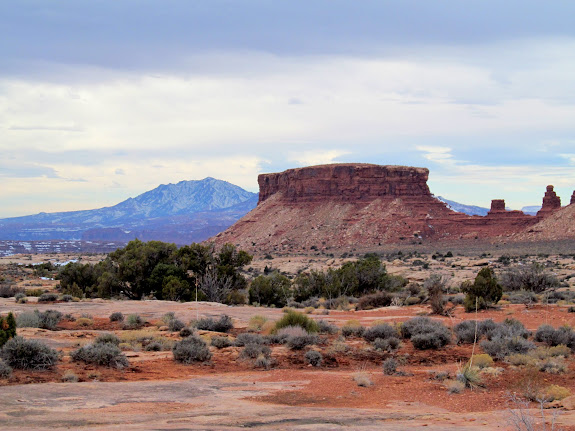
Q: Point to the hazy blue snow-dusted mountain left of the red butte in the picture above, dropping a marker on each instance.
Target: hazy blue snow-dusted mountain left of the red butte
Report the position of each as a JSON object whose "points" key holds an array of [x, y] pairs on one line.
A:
{"points": [[182, 213]]}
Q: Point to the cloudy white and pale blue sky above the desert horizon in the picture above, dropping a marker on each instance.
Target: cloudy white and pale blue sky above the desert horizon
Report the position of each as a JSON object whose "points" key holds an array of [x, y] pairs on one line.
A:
{"points": [[104, 100]]}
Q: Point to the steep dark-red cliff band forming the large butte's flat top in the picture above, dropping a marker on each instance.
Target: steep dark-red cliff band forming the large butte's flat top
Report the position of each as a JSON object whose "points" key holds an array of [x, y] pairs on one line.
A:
{"points": [[345, 182]]}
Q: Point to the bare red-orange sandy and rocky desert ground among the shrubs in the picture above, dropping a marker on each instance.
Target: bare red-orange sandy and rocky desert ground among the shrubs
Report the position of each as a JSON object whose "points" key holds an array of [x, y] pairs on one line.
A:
{"points": [[227, 392]]}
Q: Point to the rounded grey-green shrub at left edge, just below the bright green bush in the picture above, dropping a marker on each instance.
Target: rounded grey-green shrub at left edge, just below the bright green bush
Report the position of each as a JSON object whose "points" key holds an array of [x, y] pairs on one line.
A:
{"points": [[26, 354]]}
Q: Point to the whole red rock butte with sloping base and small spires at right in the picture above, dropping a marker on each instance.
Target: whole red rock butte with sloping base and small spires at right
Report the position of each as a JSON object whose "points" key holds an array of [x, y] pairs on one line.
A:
{"points": [[364, 205]]}
